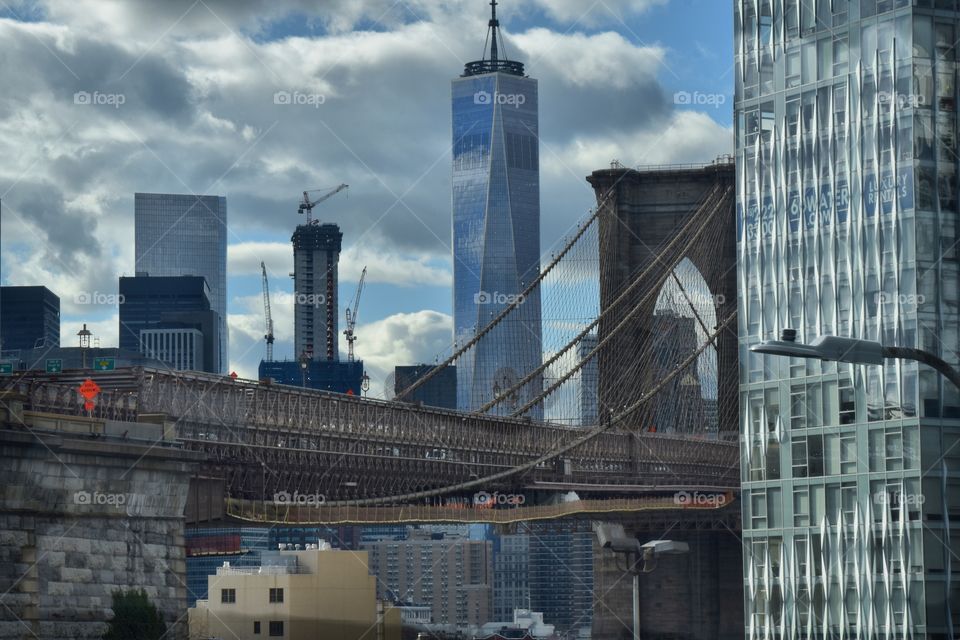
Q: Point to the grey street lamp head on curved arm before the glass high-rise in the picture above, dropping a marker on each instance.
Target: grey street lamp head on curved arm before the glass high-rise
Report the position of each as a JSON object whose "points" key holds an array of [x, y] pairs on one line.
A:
{"points": [[851, 350]]}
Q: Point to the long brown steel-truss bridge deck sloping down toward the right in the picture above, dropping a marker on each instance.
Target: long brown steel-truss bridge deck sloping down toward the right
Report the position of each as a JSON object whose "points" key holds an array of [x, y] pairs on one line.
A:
{"points": [[266, 439]]}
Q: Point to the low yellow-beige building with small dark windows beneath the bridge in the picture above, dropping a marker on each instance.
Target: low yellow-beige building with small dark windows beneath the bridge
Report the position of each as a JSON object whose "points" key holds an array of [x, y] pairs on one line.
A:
{"points": [[305, 594]]}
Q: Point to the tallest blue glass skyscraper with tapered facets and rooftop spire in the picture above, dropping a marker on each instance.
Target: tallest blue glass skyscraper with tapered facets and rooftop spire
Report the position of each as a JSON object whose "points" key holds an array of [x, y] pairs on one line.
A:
{"points": [[496, 226]]}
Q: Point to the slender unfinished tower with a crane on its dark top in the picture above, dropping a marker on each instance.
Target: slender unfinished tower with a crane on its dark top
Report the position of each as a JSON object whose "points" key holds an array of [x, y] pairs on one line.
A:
{"points": [[316, 258]]}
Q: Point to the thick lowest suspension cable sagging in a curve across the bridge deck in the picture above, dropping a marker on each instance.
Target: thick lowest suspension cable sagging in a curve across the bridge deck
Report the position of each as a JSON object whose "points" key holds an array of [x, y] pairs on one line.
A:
{"points": [[491, 480]]}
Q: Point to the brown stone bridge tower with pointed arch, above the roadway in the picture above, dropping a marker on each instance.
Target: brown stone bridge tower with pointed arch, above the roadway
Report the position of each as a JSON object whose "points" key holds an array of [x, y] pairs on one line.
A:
{"points": [[641, 213]]}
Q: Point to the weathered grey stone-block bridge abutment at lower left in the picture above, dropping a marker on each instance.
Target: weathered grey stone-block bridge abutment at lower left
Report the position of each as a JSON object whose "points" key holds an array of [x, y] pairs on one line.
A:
{"points": [[81, 518]]}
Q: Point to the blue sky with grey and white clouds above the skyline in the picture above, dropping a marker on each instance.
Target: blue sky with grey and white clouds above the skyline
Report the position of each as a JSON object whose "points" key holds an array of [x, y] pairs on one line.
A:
{"points": [[104, 98]]}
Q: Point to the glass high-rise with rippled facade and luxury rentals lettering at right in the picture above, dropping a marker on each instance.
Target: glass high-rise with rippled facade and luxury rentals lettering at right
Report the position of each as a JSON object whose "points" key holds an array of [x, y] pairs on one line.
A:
{"points": [[846, 129]]}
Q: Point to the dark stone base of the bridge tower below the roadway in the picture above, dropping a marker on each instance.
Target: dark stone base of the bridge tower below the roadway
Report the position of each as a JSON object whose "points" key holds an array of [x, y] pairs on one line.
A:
{"points": [[698, 596]]}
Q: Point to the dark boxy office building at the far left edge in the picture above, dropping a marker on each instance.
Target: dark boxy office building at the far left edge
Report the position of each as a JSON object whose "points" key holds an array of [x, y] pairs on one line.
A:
{"points": [[29, 317]]}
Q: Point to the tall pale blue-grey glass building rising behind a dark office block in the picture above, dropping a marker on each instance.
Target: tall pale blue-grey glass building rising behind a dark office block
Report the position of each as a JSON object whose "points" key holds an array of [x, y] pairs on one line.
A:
{"points": [[186, 235]]}
